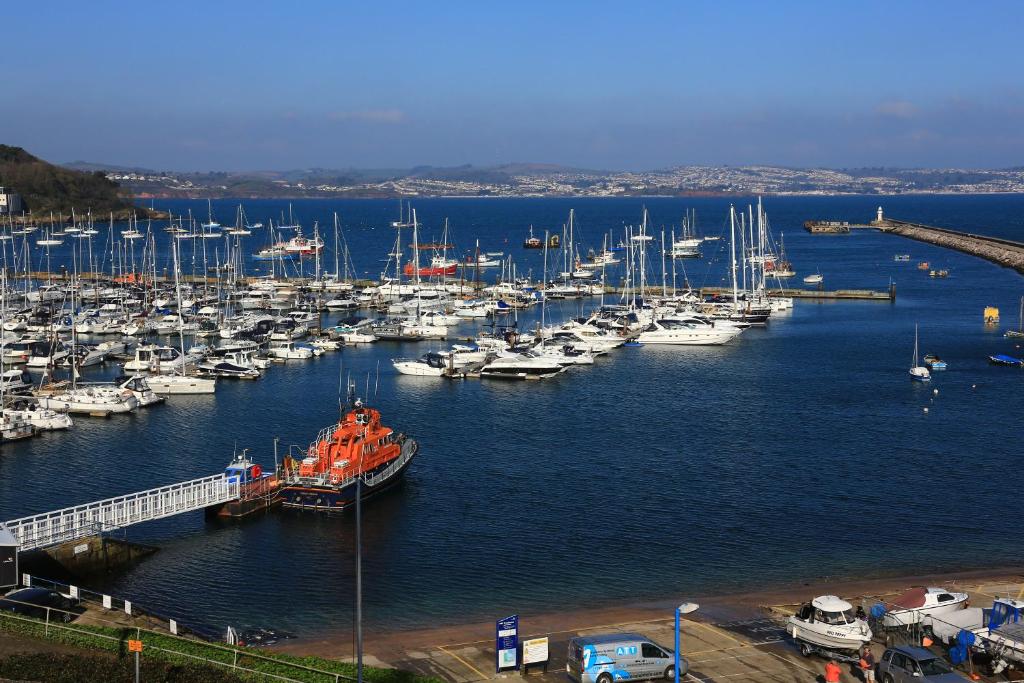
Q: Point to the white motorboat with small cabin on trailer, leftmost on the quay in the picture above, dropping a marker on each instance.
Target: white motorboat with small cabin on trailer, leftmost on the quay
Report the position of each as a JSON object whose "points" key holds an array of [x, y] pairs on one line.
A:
{"points": [[828, 622]]}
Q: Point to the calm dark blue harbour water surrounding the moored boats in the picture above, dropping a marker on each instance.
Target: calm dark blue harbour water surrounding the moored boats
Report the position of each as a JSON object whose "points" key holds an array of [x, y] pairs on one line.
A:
{"points": [[800, 452]]}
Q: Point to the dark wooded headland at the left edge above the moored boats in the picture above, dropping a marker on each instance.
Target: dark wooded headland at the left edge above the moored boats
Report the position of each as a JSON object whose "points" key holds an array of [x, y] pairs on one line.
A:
{"points": [[47, 188]]}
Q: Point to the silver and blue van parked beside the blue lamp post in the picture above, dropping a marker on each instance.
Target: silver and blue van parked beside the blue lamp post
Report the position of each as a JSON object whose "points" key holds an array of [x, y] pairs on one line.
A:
{"points": [[615, 657]]}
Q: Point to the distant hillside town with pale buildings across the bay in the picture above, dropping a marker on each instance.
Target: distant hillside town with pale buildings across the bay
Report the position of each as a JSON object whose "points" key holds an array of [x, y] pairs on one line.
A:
{"points": [[549, 181]]}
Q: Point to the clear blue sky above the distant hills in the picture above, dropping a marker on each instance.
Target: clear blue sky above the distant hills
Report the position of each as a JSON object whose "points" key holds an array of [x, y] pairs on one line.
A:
{"points": [[221, 86]]}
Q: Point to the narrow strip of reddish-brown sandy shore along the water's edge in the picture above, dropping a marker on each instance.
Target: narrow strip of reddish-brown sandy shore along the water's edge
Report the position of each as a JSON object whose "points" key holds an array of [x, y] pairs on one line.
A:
{"points": [[383, 646]]}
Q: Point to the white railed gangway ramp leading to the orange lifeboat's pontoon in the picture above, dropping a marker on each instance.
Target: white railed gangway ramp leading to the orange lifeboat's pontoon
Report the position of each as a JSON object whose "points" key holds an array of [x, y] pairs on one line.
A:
{"points": [[51, 529]]}
